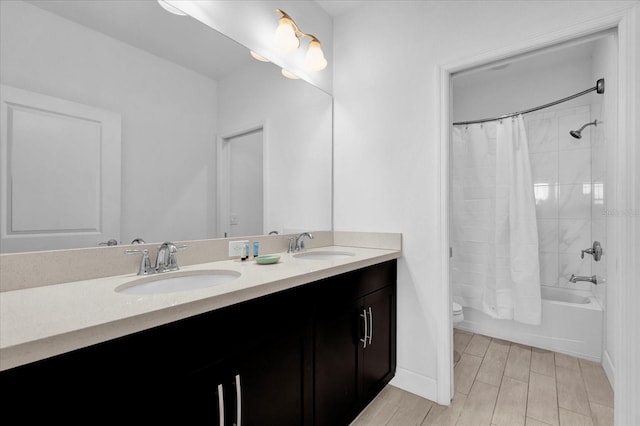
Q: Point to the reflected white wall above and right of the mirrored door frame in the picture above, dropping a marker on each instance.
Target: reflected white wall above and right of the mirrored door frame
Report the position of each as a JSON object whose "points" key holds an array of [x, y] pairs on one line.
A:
{"points": [[297, 118]]}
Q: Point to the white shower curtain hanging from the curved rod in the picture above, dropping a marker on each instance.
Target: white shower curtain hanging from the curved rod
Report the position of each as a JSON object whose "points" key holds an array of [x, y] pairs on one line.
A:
{"points": [[495, 267]]}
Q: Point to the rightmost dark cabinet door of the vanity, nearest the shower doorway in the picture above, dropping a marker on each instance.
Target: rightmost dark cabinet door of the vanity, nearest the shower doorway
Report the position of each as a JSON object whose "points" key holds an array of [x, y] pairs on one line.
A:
{"points": [[378, 357]]}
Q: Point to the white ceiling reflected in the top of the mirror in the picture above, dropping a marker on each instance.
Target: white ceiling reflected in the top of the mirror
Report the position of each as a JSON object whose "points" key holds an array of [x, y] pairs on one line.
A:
{"points": [[145, 25]]}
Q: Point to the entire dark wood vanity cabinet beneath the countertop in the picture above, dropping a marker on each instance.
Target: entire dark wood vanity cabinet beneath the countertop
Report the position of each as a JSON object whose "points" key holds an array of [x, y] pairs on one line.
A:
{"points": [[296, 357]]}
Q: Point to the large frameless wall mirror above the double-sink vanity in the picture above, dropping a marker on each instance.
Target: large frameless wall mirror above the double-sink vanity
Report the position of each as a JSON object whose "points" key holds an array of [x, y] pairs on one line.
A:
{"points": [[123, 121]]}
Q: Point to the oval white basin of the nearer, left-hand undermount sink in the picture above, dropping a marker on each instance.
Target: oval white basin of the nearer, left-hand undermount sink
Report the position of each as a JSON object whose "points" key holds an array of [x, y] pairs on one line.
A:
{"points": [[178, 281]]}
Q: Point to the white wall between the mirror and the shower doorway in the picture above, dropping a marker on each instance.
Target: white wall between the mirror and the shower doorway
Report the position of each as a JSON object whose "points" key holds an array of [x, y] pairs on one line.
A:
{"points": [[386, 107]]}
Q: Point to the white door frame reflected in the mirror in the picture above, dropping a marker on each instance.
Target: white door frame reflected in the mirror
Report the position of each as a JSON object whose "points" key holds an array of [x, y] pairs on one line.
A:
{"points": [[223, 160]]}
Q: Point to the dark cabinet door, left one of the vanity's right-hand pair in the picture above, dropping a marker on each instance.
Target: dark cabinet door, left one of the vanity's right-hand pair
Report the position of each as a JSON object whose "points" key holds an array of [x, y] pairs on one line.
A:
{"points": [[336, 362]]}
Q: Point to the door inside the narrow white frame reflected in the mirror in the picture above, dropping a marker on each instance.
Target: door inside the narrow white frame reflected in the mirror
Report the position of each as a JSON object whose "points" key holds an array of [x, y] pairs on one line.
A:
{"points": [[245, 184]]}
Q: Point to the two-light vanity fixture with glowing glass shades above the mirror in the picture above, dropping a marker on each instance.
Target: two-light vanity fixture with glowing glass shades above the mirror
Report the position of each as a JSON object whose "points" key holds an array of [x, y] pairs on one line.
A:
{"points": [[287, 39]]}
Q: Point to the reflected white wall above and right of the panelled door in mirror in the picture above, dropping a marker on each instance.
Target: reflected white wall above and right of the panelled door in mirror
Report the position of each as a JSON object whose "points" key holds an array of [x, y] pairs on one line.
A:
{"points": [[165, 109]]}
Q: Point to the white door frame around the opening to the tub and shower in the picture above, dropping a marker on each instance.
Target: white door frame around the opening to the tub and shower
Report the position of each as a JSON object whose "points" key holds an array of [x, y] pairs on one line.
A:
{"points": [[623, 230]]}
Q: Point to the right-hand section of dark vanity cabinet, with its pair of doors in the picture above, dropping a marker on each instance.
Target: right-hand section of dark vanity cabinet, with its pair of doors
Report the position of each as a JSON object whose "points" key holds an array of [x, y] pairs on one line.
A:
{"points": [[355, 341]]}
